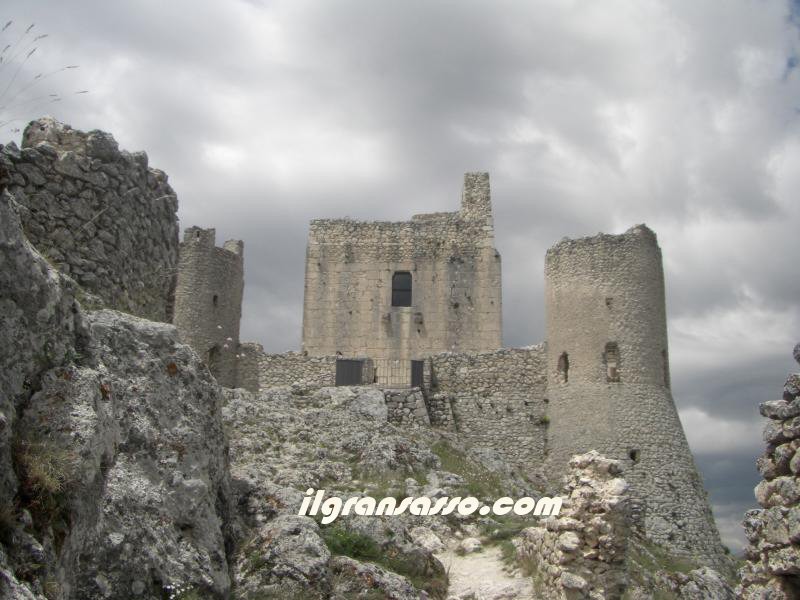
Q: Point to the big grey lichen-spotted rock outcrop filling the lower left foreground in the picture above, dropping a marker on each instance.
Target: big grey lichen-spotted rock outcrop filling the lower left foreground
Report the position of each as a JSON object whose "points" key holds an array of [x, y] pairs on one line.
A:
{"points": [[113, 457]]}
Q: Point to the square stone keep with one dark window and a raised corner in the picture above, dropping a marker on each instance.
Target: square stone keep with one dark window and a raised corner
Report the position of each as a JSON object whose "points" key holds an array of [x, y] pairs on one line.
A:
{"points": [[455, 270]]}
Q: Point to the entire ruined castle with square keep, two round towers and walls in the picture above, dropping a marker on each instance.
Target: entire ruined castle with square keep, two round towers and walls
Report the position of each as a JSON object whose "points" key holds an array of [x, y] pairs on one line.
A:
{"points": [[414, 306]]}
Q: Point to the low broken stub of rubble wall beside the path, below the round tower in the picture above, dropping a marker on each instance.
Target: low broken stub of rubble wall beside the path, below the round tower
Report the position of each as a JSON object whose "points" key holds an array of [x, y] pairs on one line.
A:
{"points": [[582, 552]]}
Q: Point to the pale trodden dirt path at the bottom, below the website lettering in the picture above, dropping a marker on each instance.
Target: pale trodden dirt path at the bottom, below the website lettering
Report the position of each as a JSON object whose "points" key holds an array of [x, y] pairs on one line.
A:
{"points": [[482, 576]]}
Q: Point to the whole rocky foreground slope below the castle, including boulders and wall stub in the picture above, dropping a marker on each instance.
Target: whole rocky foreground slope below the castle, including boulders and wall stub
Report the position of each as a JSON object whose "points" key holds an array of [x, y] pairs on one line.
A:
{"points": [[127, 472]]}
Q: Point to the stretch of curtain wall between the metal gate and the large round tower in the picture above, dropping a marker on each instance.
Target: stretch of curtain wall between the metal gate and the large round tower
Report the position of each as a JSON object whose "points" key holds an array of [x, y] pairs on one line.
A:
{"points": [[496, 400]]}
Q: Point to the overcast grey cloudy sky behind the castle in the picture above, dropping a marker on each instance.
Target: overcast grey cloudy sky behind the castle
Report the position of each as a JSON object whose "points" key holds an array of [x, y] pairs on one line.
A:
{"points": [[590, 116]]}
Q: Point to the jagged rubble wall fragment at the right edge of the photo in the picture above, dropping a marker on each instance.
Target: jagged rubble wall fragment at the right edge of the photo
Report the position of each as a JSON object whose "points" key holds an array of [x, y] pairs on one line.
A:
{"points": [[772, 569]]}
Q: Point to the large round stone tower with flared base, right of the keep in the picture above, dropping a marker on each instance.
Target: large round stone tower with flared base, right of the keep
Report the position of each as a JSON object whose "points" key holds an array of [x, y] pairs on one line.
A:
{"points": [[609, 384]]}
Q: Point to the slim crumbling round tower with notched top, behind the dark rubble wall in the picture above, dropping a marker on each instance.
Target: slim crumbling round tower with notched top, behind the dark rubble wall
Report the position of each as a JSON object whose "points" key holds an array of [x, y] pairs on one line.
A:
{"points": [[208, 300]]}
